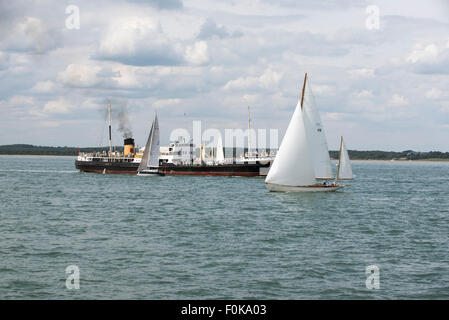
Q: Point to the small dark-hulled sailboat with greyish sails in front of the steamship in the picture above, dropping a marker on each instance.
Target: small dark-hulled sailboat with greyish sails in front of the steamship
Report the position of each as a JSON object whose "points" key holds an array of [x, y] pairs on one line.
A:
{"points": [[149, 165]]}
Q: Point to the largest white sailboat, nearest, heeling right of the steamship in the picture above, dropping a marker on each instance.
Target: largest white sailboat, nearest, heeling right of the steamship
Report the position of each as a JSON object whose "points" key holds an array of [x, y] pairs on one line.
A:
{"points": [[299, 159]]}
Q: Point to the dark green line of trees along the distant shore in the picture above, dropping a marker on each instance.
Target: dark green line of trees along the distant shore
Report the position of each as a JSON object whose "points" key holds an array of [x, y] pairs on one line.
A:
{"points": [[27, 149]]}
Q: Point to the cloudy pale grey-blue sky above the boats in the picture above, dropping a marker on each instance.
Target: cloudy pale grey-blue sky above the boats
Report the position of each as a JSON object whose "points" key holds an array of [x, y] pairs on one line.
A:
{"points": [[378, 69]]}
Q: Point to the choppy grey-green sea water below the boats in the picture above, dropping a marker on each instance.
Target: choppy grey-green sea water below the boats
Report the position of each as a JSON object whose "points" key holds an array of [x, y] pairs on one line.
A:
{"points": [[221, 238]]}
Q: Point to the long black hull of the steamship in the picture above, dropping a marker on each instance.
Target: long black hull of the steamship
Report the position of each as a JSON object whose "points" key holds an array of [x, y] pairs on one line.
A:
{"points": [[237, 169]]}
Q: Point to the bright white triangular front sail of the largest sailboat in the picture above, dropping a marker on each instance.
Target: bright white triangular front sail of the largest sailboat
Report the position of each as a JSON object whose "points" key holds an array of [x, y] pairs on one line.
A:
{"points": [[293, 163]]}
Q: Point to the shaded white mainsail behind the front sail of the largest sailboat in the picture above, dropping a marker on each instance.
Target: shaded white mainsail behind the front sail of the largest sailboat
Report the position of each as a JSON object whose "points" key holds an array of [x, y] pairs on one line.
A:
{"points": [[316, 136]]}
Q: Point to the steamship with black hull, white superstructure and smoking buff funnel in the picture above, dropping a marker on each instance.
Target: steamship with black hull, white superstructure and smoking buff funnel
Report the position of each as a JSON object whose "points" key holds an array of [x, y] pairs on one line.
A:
{"points": [[179, 158]]}
